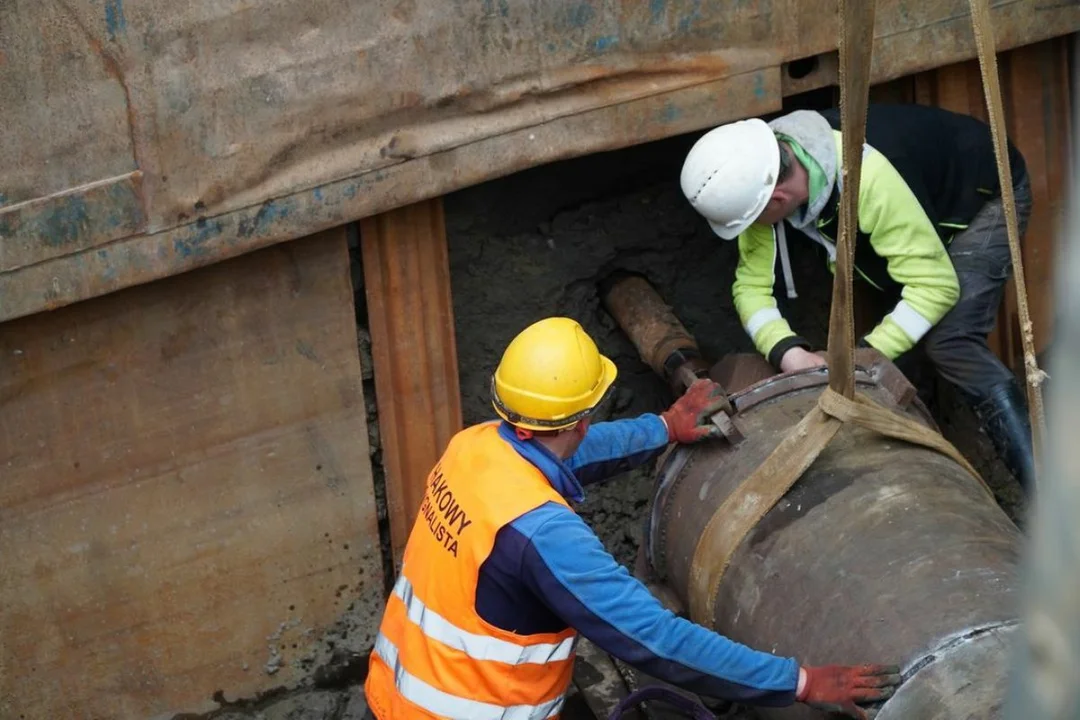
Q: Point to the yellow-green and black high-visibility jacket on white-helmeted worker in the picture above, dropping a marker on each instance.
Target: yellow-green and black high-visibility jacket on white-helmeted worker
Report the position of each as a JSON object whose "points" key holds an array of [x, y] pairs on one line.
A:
{"points": [[927, 174]]}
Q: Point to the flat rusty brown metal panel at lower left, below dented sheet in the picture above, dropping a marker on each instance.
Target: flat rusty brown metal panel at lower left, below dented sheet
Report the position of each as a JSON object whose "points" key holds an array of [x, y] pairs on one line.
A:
{"points": [[186, 504]]}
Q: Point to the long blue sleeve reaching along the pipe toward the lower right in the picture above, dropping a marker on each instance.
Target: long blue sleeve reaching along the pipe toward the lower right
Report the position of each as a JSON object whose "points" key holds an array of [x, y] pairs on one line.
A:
{"points": [[565, 565]]}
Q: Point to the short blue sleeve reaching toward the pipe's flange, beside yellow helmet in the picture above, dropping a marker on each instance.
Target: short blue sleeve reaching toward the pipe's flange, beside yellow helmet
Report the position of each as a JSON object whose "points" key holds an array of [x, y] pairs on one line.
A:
{"points": [[611, 449]]}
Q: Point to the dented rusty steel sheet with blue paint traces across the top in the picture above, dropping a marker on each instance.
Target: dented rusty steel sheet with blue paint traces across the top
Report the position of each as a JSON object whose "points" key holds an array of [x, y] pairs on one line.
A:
{"points": [[143, 139]]}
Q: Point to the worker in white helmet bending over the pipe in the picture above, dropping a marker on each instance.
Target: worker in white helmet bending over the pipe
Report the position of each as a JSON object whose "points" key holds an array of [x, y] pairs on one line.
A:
{"points": [[931, 238]]}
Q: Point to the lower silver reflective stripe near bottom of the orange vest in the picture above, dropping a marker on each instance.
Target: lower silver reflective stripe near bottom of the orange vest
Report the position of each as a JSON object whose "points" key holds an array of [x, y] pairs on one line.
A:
{"points": [[441, 703]]}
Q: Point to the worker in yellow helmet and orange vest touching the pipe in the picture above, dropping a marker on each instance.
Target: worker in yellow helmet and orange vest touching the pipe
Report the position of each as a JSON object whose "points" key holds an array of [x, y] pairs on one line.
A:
{"points": [[501, 575]]}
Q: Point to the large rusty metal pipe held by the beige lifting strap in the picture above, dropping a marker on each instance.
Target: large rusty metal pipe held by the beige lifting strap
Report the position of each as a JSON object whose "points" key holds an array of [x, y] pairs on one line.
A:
{"points": [[882, 552]]}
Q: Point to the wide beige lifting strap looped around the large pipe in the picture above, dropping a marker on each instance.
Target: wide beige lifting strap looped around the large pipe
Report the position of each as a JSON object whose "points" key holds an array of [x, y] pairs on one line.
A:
{"points": [[840, 403]]}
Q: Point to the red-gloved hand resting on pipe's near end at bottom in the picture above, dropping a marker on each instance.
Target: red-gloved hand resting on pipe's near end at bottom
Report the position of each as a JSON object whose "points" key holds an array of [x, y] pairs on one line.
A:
{"points": [[842, 688]]}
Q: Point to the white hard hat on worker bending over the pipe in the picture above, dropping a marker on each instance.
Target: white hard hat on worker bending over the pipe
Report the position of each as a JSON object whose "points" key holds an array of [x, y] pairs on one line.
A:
{"points": [[731, 173]]}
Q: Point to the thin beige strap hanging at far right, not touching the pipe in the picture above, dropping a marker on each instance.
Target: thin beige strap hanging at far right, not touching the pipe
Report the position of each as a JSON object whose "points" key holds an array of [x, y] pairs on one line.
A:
{"points": [[989, 63]]}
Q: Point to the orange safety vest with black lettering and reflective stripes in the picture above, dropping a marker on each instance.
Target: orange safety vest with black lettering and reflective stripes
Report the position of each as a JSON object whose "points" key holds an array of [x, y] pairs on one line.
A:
{"points": [[435, 656]]}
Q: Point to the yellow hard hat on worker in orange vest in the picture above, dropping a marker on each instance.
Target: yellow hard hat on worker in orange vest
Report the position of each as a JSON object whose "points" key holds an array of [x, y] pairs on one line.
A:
{"points": [[551, 376]]}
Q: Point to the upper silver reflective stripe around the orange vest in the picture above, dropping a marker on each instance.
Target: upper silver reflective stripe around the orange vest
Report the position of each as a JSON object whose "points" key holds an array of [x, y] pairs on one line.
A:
{"points": [[478, 647]]}
